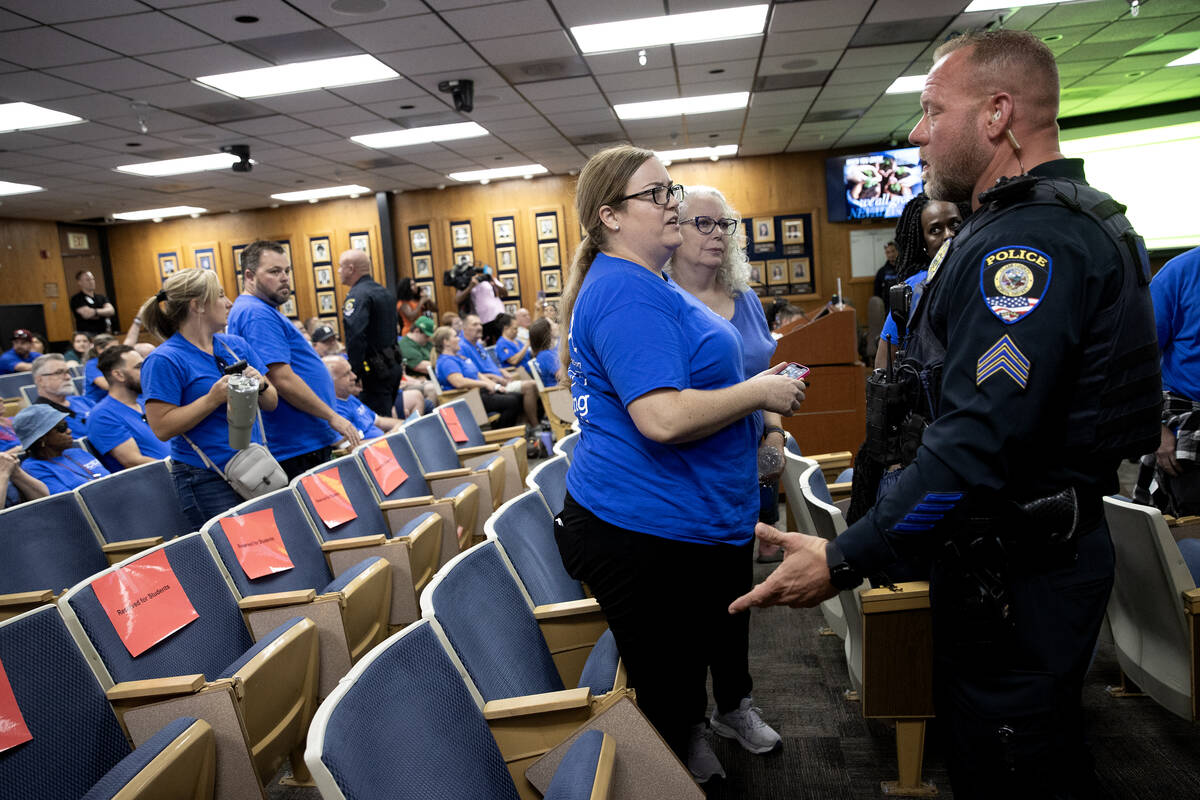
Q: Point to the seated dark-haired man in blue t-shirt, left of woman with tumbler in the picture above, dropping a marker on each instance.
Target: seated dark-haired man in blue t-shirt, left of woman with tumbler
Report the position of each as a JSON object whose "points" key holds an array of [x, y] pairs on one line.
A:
{"points": [[117, 426]]}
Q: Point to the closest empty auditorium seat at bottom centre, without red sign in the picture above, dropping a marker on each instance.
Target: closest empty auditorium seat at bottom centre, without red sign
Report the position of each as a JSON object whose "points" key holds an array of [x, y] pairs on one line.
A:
{"points": [[405, 725]]}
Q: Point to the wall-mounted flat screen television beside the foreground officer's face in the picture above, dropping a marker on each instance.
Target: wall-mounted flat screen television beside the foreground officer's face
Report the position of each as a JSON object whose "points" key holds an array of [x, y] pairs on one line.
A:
{"points": [[872, 187]]}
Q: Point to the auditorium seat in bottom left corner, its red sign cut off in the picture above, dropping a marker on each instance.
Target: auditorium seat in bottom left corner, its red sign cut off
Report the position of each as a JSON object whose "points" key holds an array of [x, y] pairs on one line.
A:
{"points": [[77, 747]]}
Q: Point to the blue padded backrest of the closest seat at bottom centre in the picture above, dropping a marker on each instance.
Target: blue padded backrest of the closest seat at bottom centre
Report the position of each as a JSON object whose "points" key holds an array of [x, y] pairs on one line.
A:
{"points": [[410, 730]]}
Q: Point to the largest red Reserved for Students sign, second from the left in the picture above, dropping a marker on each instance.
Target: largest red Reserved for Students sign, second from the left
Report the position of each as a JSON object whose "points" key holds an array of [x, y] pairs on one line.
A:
{"points": [[145, 603]]}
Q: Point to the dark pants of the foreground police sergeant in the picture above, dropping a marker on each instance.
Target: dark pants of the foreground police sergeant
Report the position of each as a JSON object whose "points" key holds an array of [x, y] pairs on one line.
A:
{"points": [[1009, 697]]}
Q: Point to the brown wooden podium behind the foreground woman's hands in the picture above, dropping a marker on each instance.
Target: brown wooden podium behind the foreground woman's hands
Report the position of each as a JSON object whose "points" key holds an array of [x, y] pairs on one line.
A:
{"points": [[835, 413]]}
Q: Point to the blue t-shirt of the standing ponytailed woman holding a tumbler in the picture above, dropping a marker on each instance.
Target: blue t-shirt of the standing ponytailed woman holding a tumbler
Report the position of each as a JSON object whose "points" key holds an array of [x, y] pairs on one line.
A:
{"points": [[179, 374]]}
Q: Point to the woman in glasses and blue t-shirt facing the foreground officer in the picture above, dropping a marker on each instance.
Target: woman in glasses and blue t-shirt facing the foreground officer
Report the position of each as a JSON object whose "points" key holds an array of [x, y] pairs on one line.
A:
{"points": [[657, 507]]}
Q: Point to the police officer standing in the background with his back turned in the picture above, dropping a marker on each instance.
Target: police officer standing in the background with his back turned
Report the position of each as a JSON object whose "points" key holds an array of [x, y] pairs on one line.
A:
{"points": [[370, 318]]}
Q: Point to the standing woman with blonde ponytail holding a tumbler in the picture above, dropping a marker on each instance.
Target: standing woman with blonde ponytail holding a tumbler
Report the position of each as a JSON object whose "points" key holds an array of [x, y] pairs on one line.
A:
{"points": [[187, 387]]}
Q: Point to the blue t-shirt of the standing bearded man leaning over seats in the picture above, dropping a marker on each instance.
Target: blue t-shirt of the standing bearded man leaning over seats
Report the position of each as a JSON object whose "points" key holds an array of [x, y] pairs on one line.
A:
{"points": [[290, 431]]}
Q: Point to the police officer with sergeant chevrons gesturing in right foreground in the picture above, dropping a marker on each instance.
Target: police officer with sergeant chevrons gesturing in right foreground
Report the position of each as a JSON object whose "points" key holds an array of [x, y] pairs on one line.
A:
{"points": [[1037, 329]]}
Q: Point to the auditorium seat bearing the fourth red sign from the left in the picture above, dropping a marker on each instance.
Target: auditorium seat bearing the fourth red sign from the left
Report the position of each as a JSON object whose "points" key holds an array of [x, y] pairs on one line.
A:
{"points": [[359, 530]]}
